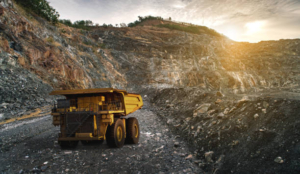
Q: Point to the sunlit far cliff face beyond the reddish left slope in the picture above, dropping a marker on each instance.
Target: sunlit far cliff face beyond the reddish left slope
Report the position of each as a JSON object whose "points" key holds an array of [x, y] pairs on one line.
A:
{"points": [[158, 58]]}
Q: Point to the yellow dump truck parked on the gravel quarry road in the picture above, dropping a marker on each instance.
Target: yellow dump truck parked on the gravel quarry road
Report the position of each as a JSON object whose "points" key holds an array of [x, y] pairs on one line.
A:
{"points": [[90, 115]]}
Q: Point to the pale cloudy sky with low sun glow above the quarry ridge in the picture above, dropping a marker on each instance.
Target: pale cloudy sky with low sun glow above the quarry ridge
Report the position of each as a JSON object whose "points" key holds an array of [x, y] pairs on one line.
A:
{"points": [[240, 20]]}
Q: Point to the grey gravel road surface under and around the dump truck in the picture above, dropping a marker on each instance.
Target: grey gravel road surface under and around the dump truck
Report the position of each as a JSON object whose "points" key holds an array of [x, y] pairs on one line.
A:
{"points": [[31, 147]]}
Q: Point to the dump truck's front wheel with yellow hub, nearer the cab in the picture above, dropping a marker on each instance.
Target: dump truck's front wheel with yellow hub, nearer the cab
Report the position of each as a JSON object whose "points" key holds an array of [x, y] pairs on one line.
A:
{"points": [[115, 135]]}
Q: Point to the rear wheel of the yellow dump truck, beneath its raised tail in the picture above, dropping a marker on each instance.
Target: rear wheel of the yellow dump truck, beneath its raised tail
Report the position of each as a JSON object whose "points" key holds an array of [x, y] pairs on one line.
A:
{"points": [[132, 131]]}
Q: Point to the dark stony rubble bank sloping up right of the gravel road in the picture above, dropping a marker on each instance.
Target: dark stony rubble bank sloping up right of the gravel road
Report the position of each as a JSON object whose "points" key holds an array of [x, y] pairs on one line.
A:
{"points": [[254, 133]]}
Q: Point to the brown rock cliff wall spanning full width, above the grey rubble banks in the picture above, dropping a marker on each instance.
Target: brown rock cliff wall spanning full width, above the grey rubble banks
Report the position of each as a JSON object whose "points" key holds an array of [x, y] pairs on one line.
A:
{"points": [[145, 57]]}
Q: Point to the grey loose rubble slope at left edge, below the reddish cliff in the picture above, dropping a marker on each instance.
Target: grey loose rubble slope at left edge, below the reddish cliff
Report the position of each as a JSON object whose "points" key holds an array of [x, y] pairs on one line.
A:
{"points": [[20, 90]]}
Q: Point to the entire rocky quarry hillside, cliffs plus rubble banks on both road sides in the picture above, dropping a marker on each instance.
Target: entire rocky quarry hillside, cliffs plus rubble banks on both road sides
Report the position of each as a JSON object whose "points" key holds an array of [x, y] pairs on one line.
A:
{"points": [[195, 82]]}
